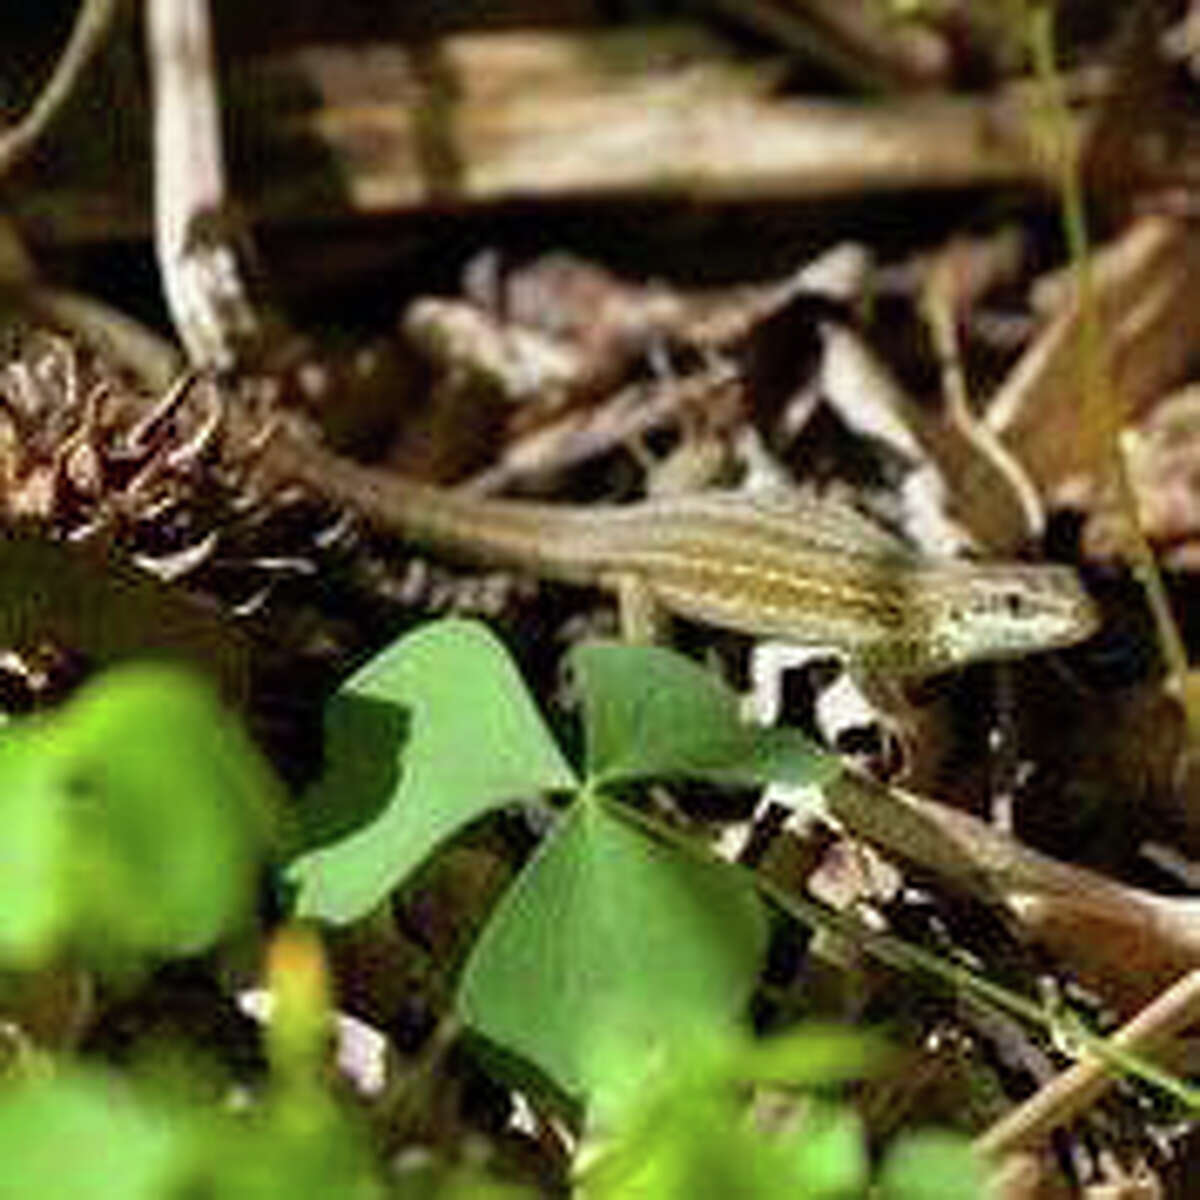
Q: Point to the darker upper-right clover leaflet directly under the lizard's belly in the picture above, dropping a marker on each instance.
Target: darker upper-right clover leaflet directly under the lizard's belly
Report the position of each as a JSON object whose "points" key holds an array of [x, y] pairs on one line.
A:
{"points": [[651, 713]]}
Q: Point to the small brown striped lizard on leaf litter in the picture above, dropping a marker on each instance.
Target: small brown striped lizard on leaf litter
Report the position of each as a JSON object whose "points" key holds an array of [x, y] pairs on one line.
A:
{"points": [[803, 571]]}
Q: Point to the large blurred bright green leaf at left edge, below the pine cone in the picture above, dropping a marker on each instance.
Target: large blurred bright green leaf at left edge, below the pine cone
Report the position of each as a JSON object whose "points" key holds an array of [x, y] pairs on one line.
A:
{"points": [[136, 819]]}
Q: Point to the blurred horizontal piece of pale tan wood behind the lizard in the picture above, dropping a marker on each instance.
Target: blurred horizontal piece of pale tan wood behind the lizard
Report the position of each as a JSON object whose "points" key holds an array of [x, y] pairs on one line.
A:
{"points": [[321, 133]]}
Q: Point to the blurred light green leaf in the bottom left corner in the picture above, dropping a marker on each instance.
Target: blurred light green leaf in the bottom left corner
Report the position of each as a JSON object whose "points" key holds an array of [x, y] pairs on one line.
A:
{"points": [[85, 1137]]}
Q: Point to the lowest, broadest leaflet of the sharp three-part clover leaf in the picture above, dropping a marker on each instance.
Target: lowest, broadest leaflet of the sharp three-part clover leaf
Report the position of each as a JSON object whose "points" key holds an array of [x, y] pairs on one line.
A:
{"points": [[608, 944]]}
